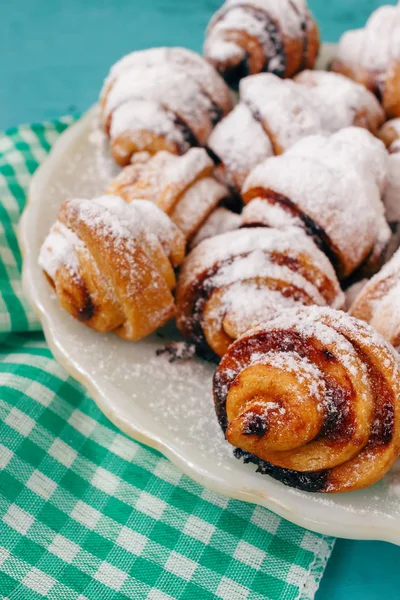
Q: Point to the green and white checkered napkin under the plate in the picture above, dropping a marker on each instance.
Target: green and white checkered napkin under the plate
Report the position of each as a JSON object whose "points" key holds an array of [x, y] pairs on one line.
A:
{"points": [[85, 512]]}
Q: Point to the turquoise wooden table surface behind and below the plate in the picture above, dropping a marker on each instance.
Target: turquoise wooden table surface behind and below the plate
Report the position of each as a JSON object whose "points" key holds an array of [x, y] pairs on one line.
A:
{"points": [[54, 55]]}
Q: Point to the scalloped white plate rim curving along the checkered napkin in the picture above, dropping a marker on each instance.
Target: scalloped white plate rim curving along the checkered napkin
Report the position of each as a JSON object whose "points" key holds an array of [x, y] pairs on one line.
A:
{"points": [[385, 532]]}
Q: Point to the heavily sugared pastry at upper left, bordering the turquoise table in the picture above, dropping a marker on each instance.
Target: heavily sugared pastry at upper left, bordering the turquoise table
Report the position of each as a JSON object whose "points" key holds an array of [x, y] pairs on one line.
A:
{"points": [[161, 99]]}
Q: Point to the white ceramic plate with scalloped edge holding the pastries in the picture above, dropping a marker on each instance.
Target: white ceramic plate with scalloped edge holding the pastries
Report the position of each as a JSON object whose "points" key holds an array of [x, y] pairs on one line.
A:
{"points": [[169, 406]]}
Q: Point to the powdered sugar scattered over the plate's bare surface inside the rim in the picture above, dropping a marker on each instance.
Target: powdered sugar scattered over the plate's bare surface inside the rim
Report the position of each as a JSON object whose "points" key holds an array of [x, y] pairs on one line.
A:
{"points": [[177, 398]]}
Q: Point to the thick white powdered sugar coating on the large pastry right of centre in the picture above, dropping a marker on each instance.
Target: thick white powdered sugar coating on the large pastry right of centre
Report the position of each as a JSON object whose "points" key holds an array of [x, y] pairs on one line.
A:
{"points": [[321, 186]]}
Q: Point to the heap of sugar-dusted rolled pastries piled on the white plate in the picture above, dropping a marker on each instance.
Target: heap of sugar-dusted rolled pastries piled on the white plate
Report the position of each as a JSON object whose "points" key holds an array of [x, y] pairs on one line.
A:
{"points": [[247, 221]]}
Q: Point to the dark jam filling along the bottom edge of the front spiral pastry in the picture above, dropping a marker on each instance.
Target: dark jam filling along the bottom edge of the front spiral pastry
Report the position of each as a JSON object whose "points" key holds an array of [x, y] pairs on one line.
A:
{"points": [[307, 482]]}
